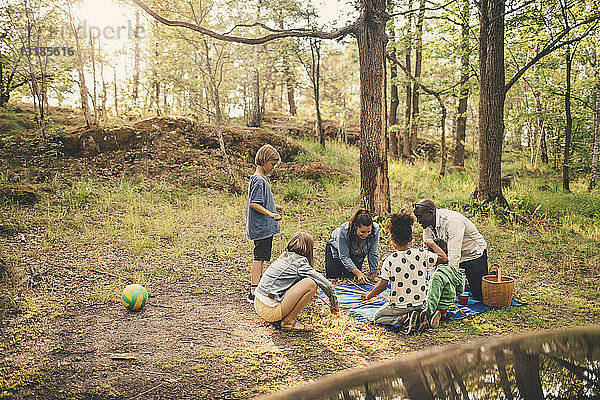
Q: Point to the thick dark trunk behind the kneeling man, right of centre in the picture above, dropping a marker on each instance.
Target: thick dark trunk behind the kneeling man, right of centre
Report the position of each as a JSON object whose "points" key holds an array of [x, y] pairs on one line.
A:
{"points": [[491, 101]]}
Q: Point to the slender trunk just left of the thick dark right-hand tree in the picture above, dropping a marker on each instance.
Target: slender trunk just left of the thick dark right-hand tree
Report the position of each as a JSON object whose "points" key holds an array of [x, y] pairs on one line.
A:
{"points": [[463, 97]]}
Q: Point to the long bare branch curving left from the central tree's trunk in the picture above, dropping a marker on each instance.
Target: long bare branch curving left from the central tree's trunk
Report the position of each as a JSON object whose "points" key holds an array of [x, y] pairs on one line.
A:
{"points": [[339, 33]]}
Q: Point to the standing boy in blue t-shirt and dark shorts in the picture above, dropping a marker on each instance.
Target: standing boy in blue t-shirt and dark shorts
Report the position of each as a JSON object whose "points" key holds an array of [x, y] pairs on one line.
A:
{"points": [[262, 213]]}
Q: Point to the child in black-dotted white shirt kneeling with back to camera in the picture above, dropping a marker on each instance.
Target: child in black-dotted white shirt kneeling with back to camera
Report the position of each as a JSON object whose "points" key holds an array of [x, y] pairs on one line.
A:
{"points": [[406, 271]]}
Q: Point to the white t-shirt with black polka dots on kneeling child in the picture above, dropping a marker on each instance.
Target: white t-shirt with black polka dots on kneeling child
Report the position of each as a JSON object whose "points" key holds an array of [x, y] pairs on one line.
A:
{"points": [[407, 273]]}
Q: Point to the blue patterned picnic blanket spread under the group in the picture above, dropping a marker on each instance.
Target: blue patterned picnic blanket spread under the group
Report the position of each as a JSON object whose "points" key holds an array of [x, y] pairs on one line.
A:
{"points": [[348, 298]]}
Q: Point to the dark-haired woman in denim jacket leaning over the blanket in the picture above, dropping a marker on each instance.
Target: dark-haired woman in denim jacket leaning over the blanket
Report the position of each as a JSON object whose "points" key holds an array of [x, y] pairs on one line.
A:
{"points": [[349, 245]]}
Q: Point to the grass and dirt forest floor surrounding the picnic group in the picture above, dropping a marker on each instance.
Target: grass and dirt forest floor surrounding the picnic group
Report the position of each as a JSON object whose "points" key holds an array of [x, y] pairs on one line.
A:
{"points": [[154, 211]]}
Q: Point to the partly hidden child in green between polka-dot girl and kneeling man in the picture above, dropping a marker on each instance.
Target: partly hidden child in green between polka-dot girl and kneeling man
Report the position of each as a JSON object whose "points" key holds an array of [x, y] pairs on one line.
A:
{"points": [[445, 284]]}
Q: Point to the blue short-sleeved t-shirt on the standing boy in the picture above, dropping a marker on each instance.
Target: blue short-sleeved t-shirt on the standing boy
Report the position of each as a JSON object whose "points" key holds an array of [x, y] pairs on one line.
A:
{"points": [[258, 225]]}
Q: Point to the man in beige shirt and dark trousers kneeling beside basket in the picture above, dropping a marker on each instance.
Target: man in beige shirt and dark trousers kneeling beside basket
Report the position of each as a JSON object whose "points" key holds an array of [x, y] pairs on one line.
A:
{"points": [[466, 246]]}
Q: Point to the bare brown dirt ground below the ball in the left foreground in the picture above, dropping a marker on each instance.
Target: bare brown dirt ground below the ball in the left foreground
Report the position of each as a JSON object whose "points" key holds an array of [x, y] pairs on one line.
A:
{"points": [[196, 338]]}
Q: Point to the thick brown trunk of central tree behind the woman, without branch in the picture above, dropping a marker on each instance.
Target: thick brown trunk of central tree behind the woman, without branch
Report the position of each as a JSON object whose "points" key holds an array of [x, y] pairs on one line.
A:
{"points": [[371, 38]]}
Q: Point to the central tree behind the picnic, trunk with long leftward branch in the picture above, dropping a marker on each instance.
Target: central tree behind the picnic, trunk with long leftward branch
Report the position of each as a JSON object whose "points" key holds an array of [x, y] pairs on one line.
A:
{"points": [[369, 30]]}
